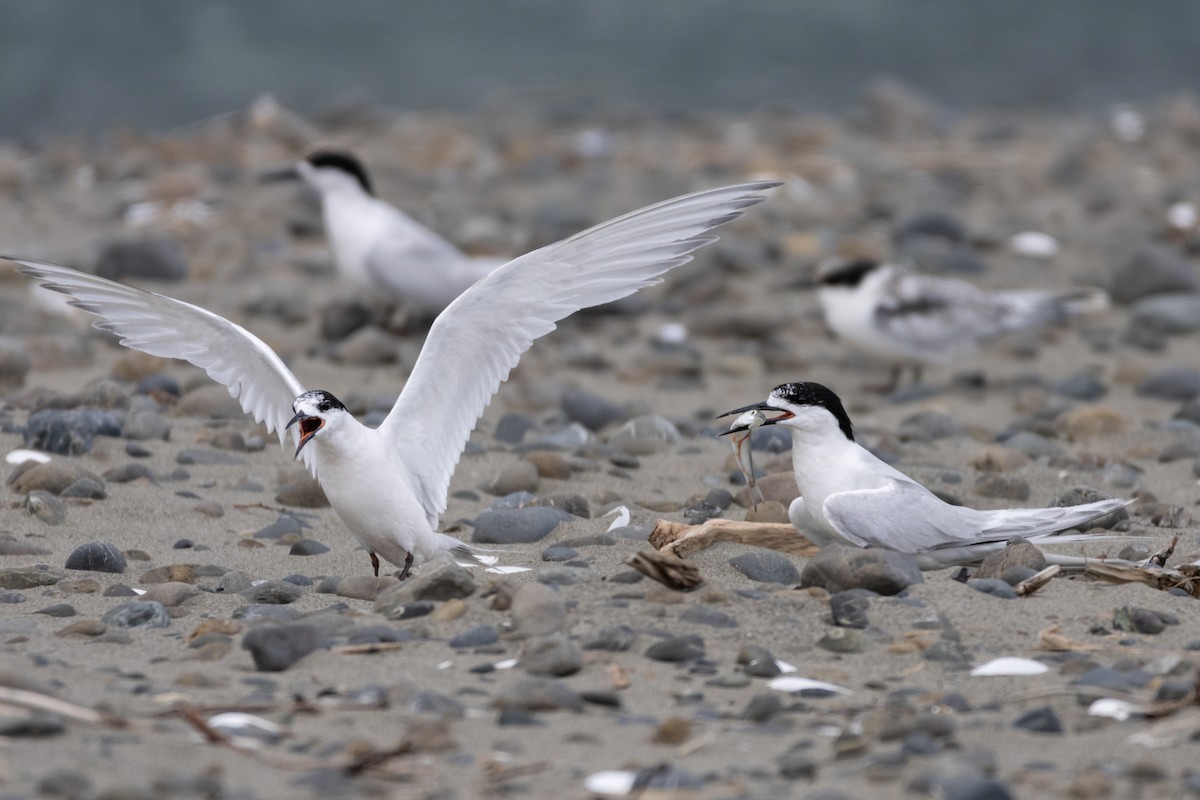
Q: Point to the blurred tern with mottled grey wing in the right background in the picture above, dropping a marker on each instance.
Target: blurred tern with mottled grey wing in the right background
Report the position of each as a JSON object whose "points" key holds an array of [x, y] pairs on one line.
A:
{"points": [[910, 320]]}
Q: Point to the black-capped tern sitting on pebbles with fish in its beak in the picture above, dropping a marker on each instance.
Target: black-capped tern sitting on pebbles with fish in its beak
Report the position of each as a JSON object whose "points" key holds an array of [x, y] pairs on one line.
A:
{"points": [[850, 497]]}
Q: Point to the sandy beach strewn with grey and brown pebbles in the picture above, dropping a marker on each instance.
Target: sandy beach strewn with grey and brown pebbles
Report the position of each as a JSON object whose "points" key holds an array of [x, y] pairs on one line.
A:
{"points": [[531, 684]]}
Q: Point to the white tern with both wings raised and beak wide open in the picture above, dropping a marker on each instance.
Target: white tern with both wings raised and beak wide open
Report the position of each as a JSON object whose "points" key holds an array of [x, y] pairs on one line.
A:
{"points": [[388, 485]]}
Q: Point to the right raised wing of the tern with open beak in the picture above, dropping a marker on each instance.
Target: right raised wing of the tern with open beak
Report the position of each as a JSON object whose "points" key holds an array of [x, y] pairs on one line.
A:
{"points": [[481, 336]]}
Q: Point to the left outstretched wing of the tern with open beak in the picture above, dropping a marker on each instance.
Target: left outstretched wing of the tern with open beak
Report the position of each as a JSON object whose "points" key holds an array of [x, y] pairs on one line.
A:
{"points": [[175, 329]]}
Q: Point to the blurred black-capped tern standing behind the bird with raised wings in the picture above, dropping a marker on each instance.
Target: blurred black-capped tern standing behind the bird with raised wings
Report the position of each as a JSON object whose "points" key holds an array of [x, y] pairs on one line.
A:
{"points": [[379, 248]]}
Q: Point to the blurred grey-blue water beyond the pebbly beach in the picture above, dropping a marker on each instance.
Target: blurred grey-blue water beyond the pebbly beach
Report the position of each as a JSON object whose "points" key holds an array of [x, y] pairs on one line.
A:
{"points": [[81, 65]]}
